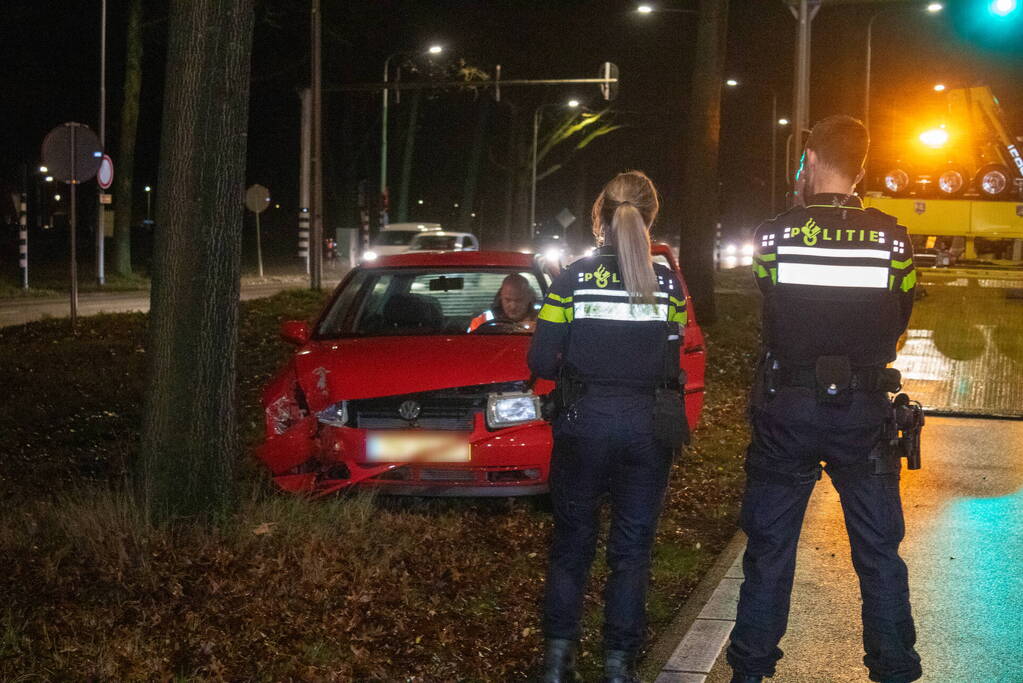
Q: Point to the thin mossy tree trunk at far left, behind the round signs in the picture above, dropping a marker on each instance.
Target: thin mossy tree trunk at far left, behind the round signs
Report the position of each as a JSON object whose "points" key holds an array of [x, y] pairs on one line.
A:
{"points": [[123, 204]]}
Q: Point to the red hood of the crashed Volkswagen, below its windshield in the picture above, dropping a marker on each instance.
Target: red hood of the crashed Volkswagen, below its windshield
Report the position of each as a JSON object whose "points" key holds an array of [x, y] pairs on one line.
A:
{"points": [[369, 368]]}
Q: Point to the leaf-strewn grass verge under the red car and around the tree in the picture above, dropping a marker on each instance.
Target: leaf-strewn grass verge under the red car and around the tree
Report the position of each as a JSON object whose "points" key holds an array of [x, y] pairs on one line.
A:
{"points": [[355, 588]]}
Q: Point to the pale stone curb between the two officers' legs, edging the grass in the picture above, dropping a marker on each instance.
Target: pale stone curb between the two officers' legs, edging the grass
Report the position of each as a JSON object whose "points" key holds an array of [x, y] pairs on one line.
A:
{"points": [[689, 648]]}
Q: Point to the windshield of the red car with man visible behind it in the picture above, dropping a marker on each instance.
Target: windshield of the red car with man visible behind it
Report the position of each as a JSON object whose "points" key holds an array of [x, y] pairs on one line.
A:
{"points": [[435, 301]]}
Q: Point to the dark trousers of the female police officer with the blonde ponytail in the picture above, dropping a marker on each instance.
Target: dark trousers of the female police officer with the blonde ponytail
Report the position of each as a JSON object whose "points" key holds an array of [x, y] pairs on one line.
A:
{"points": [[605, 452]]}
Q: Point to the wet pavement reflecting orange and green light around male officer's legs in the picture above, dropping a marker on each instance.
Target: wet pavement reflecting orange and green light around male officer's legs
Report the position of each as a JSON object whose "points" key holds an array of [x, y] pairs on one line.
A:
{"points": [[964, 548]]}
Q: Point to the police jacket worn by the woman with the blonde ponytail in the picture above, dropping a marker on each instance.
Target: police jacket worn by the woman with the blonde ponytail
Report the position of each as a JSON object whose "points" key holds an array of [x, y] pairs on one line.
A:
{"points": [[589, 323]]}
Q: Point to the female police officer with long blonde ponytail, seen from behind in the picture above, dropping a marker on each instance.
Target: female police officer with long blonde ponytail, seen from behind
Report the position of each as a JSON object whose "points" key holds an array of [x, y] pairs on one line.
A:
{"points": [[609, 332]]}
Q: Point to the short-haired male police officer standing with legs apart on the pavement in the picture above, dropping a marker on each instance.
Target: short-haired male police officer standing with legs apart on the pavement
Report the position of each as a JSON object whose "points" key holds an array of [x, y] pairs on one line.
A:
{"points": [[838, 286]]}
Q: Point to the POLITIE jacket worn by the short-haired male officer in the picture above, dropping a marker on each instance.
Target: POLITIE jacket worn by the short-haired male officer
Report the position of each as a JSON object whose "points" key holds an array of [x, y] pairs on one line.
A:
{"points": [[837, 281]]}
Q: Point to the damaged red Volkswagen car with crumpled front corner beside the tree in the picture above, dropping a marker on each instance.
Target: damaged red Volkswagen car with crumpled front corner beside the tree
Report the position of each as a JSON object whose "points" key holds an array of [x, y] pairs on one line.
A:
{"points": [[388, 390]]}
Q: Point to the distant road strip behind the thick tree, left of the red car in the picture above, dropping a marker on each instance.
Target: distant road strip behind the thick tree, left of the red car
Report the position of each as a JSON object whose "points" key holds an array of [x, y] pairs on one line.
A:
{"points": [[21, 311]]}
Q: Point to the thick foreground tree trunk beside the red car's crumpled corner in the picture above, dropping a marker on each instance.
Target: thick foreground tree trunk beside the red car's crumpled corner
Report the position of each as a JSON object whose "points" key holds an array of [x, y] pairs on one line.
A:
{"points": [[190, 435]]}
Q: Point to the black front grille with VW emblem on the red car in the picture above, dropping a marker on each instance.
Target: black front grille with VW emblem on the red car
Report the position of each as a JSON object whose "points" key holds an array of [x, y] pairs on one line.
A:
{"points": [[454, 414]]}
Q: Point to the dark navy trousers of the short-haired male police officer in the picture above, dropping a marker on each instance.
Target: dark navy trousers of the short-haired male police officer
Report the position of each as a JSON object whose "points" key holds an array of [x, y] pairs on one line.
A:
{"points": [[792, 435]]}
